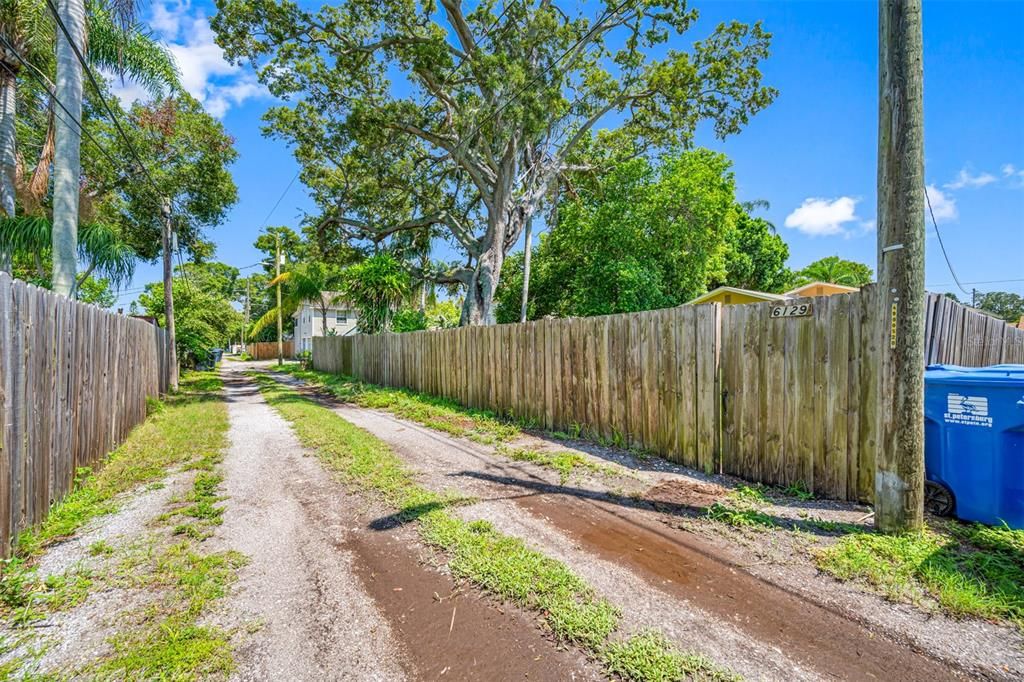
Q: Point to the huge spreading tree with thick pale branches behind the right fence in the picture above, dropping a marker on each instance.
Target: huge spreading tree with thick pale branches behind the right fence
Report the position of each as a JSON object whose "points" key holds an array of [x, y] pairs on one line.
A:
{"points": [[406, 115]]}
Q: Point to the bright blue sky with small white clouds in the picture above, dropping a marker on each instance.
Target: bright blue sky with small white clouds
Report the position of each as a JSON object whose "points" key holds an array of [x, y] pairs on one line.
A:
{"points": [[812, 155]]}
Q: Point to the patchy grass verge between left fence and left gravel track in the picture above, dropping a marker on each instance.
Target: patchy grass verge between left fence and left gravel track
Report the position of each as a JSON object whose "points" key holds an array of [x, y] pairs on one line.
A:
{"points": [[164, 641]]}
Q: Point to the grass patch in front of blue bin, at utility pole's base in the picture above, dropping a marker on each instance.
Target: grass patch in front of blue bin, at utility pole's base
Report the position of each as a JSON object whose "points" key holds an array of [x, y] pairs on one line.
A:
{"points": [[967, 570]]}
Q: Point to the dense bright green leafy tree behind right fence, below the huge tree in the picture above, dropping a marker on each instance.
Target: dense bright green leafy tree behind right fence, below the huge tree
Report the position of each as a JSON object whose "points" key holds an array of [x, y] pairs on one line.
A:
{"points": [[647, 236]]}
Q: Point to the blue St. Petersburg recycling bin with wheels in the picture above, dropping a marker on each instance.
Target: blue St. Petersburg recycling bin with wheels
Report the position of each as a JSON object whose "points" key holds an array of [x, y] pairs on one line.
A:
{"points": [[974, 443]]}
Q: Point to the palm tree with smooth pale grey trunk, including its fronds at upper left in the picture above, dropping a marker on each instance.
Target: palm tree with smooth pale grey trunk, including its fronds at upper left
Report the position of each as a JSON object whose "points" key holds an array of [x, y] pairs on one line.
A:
{"points": [[71, 18]]}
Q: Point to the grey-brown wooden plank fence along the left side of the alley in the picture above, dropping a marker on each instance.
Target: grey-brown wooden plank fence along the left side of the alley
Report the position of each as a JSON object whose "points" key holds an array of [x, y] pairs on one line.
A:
{"points": [[74, 380]]}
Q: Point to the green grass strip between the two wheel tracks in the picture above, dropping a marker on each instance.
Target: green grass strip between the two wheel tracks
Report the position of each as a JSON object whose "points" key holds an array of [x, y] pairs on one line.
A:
{"points": [[498, 564]]}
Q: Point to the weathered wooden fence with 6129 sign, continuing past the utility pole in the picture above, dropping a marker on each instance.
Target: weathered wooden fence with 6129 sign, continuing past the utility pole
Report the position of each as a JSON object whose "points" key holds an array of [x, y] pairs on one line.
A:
{"points": [[778, 400]]}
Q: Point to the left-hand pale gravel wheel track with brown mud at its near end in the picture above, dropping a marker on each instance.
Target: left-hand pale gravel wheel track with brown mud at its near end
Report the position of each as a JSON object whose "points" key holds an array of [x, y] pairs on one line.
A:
{"points": [[340, 601]]}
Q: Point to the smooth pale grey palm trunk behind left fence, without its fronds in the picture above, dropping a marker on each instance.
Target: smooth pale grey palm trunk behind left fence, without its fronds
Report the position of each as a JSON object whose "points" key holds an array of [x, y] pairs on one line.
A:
{"points": [[68, 163]]}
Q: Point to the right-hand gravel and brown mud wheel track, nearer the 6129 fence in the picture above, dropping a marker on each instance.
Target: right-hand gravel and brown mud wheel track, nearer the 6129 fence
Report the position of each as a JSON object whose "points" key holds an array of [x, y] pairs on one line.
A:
{"points": [[783, 627]]}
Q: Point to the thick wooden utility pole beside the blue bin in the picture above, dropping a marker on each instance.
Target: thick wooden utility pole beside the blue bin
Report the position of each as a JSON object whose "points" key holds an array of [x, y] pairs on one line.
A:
{"points": [[900, 478]]}
